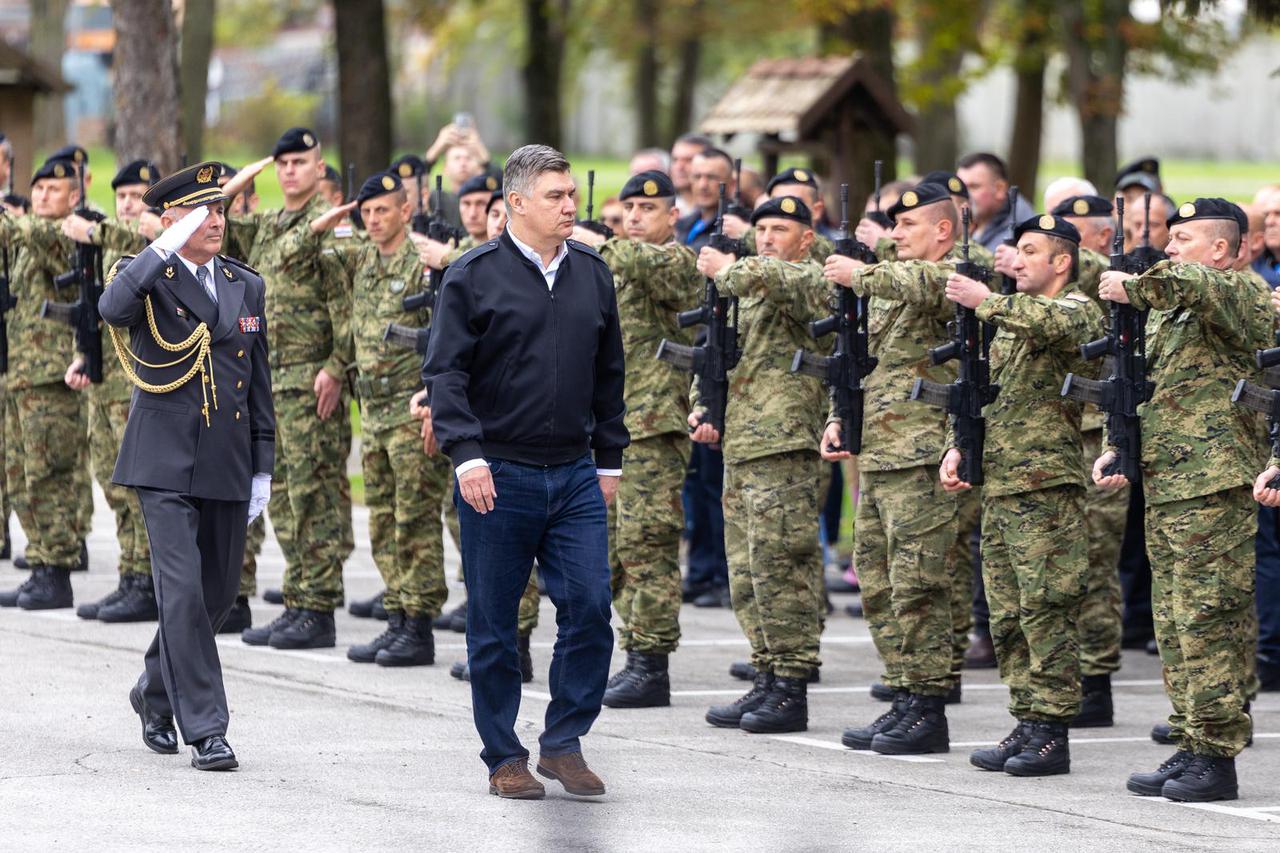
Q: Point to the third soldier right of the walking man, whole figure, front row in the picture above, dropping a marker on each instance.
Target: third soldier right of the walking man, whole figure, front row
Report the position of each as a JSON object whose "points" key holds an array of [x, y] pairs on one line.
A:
{"points": [[906, 526]]}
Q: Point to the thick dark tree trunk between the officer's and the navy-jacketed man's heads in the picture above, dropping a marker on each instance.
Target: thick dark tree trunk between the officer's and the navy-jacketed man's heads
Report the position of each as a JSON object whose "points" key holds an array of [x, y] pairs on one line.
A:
{"points": [[364, 86]]}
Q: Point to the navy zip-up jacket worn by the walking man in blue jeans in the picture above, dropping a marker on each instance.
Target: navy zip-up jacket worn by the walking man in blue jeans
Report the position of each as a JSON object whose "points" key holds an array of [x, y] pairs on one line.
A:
{"points": [[523, 373]]}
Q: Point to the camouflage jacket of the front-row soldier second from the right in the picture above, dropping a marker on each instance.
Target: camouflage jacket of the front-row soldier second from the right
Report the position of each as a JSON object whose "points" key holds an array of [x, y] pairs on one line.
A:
{"points": [[1034, 432]]}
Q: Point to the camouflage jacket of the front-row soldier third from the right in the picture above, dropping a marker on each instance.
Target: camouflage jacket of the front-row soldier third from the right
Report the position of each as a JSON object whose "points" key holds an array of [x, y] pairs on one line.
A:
{"points": [[909, 316]]}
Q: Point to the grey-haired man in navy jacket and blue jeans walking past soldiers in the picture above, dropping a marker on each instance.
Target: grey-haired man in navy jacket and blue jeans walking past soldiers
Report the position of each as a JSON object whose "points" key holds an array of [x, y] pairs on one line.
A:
{"points": [[524, 377]]}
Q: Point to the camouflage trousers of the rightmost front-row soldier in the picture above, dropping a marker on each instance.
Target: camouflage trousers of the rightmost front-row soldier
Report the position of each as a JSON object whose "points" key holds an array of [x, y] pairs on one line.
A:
{"points": [[1203, 603]]}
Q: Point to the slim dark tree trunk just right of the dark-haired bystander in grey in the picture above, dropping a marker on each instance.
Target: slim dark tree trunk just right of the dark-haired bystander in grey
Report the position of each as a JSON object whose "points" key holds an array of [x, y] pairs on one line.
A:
{"points": [[1030, 65]]}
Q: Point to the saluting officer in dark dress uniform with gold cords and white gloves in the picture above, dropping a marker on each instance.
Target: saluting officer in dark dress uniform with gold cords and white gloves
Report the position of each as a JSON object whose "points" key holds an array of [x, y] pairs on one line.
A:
{"points": [[199, 448]]}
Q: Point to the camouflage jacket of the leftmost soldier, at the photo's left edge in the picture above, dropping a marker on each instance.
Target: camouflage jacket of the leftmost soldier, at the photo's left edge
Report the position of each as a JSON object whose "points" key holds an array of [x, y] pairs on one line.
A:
{"points": [[40, 350]]}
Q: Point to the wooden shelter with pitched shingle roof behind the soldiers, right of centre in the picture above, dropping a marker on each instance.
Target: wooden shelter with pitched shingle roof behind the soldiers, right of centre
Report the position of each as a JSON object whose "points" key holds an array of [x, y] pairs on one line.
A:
{"points": [[836, 110]]}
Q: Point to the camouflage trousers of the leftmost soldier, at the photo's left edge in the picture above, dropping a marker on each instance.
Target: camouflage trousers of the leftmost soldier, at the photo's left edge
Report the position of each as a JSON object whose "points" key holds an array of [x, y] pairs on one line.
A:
{"points": [[45, 432]]}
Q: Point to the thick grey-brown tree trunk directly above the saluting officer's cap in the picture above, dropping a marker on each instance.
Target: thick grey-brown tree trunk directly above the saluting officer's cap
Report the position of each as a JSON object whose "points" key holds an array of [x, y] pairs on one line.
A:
{"points": [[147, 83]]}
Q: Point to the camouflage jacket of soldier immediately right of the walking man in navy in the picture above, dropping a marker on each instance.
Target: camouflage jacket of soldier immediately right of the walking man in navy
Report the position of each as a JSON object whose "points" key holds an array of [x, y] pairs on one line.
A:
{"points": [[653, 285]]}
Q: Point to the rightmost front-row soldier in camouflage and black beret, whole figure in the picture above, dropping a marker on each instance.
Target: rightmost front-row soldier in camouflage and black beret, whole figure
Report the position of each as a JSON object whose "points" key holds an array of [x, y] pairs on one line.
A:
{"points": [[1200, 455]]}
